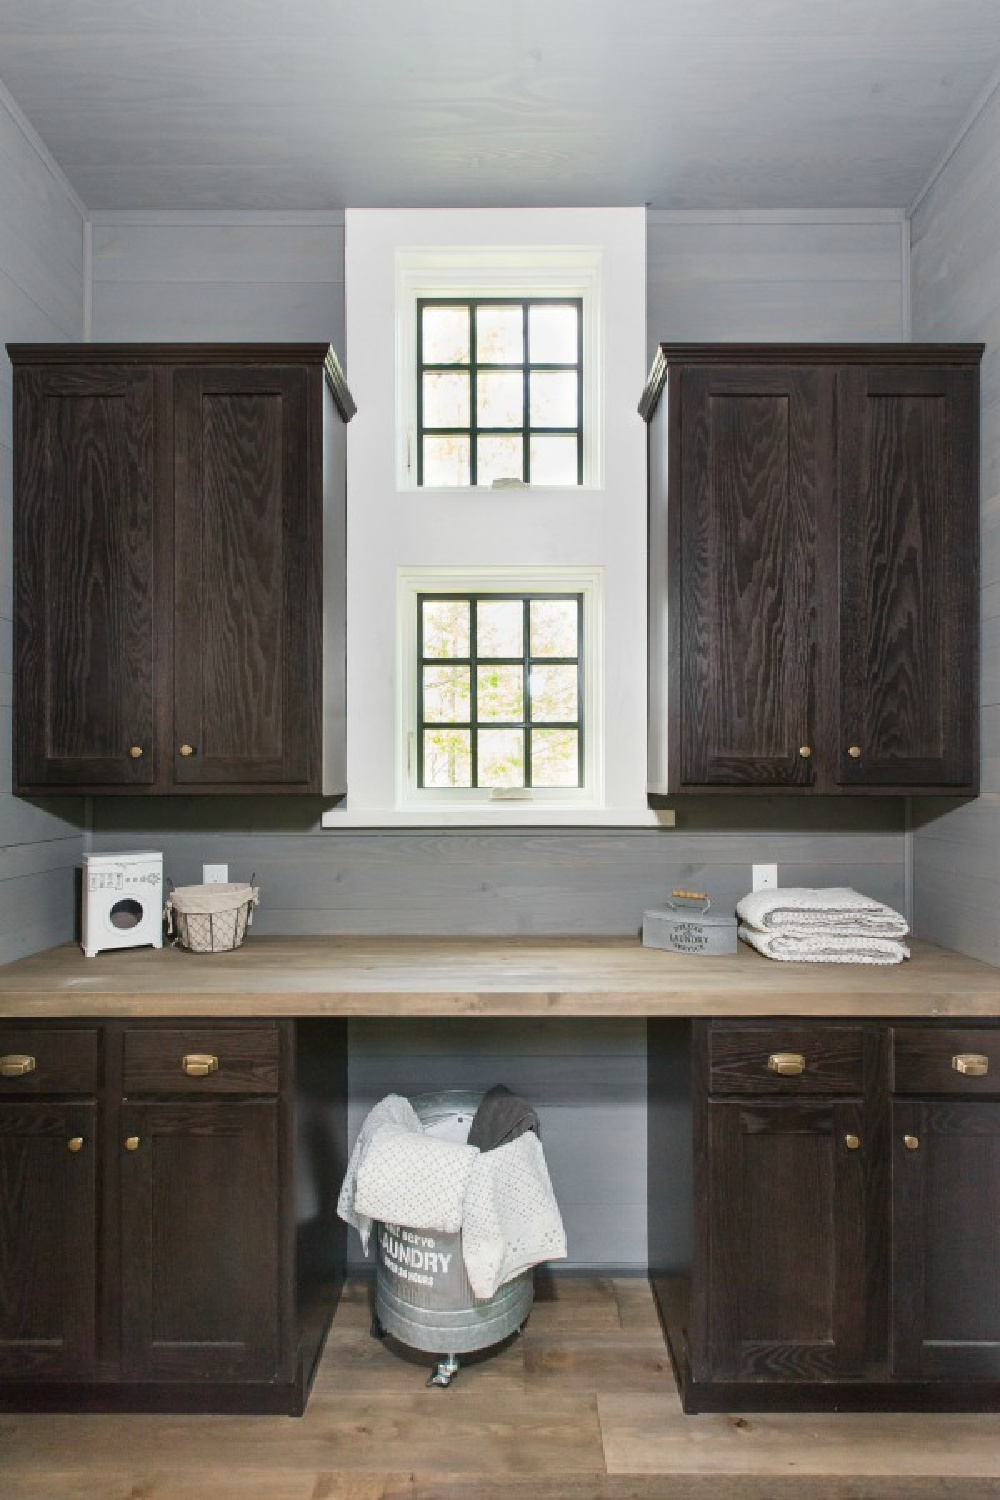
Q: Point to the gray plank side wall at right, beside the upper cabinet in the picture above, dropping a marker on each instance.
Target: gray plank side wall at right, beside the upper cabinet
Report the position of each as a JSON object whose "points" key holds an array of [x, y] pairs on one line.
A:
{"points": [[956, 281]]}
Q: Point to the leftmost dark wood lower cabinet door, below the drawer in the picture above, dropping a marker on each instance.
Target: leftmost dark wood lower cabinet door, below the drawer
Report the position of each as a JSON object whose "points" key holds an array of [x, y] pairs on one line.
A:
{"points": [[49, 1225]]}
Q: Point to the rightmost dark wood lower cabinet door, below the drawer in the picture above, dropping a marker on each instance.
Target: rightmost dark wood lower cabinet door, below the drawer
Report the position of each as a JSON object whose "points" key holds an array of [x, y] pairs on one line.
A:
{"points": [[947, 1240]]}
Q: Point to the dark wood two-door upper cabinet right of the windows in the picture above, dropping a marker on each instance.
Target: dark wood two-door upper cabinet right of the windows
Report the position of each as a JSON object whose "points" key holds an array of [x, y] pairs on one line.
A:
{"points": [[813, 554]]}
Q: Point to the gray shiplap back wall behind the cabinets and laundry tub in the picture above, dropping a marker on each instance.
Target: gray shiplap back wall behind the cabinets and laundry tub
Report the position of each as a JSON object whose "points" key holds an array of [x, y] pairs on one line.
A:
{"points": [[713, 277]]}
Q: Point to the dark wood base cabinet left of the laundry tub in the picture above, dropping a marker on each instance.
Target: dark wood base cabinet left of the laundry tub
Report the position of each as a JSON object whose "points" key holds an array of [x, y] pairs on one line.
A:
{"points": [[169, 1234]]}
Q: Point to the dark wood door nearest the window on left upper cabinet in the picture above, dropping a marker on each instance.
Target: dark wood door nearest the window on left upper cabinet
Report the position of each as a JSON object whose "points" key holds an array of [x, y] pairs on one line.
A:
{"points": [[248, 560]]}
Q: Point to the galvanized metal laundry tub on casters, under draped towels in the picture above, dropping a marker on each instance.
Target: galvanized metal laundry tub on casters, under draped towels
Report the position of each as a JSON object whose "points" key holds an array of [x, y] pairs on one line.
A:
{"points": [[422, 1291]]}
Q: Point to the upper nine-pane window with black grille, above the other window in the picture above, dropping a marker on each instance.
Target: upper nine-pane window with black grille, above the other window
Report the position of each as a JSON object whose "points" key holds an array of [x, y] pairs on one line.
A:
{"points": [[500, 391]]}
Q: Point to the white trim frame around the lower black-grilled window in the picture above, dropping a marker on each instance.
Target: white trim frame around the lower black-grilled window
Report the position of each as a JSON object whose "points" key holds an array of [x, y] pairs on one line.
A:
{"points": [[530, 580]]}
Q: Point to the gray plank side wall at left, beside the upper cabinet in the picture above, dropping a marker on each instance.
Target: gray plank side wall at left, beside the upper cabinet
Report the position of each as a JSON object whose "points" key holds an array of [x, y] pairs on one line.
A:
{"points": [[43, 295]]}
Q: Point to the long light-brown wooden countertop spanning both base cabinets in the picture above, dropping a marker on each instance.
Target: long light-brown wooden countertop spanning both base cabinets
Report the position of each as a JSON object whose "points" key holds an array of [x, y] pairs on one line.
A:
{"points": [[484, 977]]}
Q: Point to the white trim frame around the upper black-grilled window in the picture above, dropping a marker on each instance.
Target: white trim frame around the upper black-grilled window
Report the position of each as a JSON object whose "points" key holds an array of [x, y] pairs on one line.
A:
{"points": [[533, 271]]}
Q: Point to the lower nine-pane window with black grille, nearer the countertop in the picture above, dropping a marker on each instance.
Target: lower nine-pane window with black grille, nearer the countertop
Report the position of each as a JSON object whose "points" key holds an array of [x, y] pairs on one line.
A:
{"points": [[500, 692]]}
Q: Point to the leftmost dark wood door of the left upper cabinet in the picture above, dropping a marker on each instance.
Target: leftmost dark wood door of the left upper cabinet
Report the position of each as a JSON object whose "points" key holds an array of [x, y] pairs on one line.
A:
{"points": [[85, 580]]}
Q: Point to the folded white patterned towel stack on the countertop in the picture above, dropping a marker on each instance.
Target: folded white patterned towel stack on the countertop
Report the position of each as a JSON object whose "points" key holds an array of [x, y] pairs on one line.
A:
{"points": [[828, 925]]}
